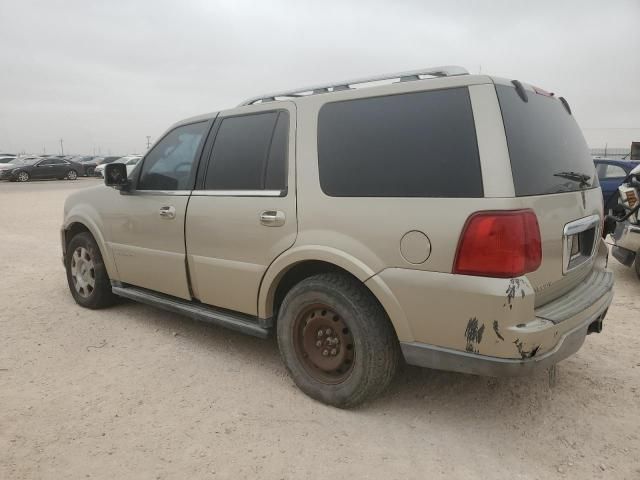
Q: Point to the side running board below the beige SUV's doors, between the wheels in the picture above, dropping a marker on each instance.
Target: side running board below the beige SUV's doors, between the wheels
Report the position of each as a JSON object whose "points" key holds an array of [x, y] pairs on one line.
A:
{"points": [[224, 318]]}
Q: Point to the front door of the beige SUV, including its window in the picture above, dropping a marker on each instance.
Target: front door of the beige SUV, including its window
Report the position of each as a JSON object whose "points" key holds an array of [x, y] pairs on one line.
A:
{"points": [[147, 225]]}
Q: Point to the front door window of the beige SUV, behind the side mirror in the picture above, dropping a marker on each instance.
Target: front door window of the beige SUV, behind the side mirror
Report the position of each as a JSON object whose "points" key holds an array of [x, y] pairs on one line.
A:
{"points": [[170, 165]]}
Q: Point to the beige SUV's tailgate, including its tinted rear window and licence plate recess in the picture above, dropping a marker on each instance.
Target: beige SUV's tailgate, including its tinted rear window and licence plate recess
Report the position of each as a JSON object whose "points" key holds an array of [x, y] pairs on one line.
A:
{"points": [[554, 175]]}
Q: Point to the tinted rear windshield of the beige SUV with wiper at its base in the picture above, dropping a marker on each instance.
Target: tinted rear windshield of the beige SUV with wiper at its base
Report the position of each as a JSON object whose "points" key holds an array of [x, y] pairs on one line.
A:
{"points": [[548, 152]]}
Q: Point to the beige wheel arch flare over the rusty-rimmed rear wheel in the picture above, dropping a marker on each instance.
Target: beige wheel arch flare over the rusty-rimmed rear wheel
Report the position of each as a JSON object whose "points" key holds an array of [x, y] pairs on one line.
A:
{"points": [[297, 264]]}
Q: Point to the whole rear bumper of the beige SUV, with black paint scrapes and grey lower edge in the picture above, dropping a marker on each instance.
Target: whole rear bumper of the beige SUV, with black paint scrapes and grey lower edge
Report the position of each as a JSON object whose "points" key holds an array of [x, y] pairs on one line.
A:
{"points": [[490, 326]]}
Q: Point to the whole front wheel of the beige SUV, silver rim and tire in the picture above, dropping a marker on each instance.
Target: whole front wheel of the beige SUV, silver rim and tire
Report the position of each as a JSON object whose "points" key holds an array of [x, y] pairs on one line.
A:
{"points": [[87, 276]]}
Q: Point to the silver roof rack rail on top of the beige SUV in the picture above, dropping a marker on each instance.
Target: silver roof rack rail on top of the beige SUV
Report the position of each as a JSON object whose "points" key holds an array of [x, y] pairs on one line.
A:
{"points": [[446, 71]]}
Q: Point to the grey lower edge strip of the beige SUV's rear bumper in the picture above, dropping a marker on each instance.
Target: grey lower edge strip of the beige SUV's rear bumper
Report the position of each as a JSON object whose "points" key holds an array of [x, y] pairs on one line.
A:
{"points": [[430, 356]]}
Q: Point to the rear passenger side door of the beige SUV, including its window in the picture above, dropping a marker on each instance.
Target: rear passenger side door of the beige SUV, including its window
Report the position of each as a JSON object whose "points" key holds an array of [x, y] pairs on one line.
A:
{"points": [[243, 213]]}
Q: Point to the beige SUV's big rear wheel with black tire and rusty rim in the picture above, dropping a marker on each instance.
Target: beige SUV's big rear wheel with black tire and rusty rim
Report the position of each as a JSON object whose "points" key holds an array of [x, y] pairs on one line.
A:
{"points": [[375, 349]]}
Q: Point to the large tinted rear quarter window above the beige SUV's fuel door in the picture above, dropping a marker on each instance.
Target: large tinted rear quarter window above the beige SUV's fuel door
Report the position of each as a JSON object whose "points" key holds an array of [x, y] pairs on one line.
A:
{"points": [[410, 145]]}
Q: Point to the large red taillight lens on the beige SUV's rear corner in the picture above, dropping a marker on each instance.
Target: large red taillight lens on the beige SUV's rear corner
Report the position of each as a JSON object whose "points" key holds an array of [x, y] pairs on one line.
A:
{"points": [[499, 244]]}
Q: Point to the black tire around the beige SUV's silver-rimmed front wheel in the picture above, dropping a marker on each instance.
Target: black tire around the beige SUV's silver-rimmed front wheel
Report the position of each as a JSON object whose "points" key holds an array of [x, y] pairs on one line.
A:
{"points": [[100, 295]]}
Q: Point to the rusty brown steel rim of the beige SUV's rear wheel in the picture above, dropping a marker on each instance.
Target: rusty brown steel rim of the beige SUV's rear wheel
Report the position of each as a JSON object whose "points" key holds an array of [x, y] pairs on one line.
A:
{"points": [[324, 344]]}
